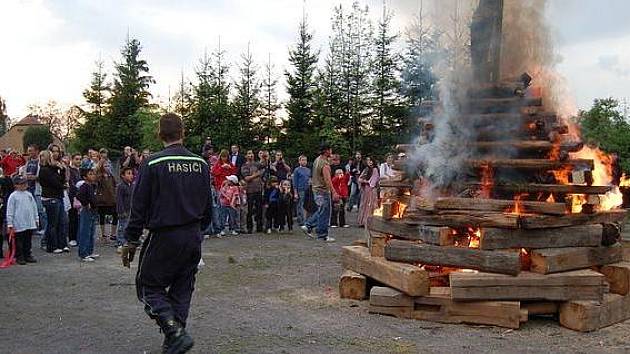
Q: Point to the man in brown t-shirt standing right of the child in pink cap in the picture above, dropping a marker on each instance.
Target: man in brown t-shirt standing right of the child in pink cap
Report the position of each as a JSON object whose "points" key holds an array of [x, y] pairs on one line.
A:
{"points": [[252, 173]]}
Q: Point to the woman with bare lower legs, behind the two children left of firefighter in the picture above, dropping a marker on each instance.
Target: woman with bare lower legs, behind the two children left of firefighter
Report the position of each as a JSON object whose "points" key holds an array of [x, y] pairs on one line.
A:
{"points": [[106, 197]]}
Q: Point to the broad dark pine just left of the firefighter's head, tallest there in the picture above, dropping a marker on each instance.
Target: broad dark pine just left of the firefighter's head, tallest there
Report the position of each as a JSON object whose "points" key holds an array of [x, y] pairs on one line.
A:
{"points": [[129, 94]]}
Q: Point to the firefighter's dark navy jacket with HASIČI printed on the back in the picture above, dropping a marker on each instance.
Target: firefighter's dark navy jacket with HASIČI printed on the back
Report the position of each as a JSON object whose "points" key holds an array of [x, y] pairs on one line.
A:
{"points": [[172, 190]]}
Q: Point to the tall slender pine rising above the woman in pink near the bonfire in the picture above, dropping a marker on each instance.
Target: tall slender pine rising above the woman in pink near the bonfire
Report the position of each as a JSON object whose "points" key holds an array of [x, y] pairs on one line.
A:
{"points": [[388, 111]]}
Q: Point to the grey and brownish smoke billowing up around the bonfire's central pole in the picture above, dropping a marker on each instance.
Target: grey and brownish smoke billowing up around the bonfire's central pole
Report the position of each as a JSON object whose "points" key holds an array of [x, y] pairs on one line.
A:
{"points": [[527, 47]]}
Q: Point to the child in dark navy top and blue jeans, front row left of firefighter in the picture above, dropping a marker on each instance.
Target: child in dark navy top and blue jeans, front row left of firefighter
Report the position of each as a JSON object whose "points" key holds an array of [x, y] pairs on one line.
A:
{"points": [[88, 216]]}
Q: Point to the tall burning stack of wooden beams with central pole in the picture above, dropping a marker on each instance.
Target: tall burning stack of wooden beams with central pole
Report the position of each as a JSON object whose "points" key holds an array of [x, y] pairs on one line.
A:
{"points": [[499, 213]]}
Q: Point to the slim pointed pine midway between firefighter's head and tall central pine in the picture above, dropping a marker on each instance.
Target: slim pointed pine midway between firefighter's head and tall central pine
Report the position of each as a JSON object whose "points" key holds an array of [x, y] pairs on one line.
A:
{"points": [[247, 101]]}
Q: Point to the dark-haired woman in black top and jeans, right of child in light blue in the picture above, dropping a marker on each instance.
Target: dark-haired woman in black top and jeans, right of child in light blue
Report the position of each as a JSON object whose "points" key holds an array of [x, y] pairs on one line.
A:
{"points": [[52, 178]]}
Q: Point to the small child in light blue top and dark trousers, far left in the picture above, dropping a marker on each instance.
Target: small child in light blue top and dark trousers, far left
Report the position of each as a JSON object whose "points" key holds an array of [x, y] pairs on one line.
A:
{"points": [[22, 219]]}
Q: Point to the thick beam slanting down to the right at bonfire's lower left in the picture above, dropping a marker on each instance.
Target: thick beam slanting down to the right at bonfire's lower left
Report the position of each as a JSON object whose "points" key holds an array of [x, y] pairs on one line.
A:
{"points": [[409, 279]]}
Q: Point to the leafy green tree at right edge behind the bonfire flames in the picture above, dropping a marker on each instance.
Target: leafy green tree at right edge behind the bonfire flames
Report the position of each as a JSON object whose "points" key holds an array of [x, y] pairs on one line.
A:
{"points": [[604, 125]]}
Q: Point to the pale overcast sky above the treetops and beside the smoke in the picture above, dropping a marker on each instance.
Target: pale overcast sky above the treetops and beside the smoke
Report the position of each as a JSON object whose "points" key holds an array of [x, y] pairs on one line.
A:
{"points": [[49, 47]]}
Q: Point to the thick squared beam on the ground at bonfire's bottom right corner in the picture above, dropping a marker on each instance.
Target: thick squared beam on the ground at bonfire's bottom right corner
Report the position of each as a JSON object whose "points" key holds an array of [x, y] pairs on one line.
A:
{"points": [[587, 316]]}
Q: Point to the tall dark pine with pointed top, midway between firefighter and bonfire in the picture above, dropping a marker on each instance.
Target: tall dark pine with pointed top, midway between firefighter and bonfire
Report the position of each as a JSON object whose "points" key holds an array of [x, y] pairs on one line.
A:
{"points": [[301, 83]]}
